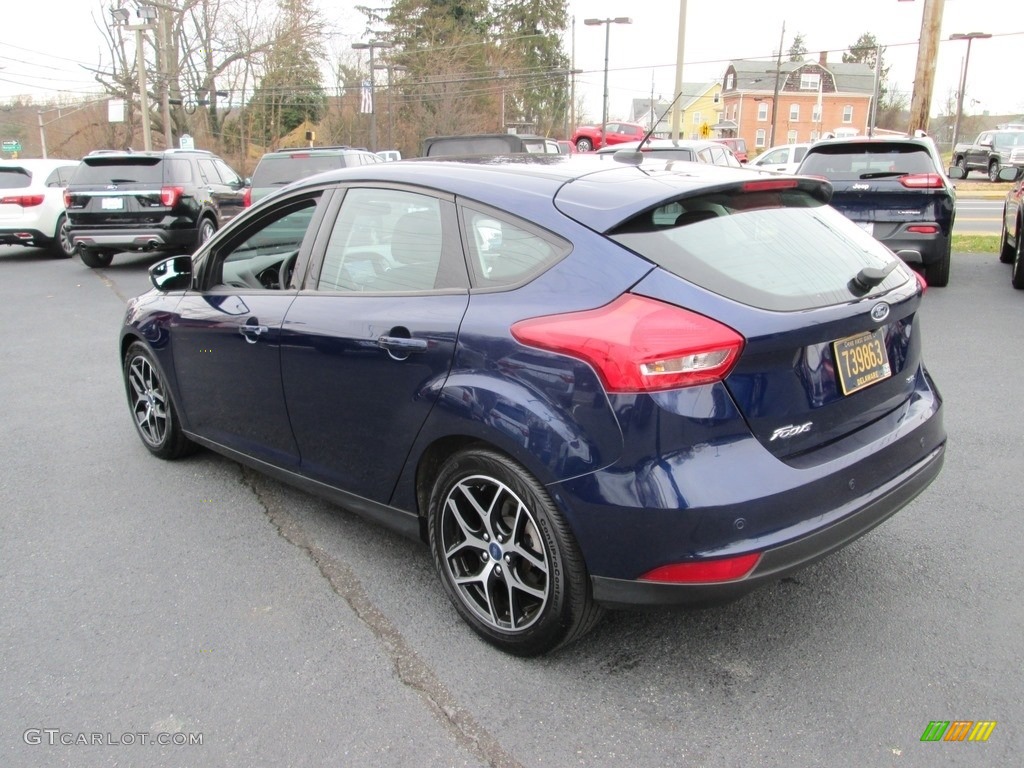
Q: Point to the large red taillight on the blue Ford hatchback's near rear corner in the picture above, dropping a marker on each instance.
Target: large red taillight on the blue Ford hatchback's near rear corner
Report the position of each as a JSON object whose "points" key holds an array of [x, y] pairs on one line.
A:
{"points": [[638, 345]]}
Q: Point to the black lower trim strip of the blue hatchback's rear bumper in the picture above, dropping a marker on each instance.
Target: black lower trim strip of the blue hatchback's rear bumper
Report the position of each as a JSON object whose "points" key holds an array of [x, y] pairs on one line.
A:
{"points": [[777, 563]]}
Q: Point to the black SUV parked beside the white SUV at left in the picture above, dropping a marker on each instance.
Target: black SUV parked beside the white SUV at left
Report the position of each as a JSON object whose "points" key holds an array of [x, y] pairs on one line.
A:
{"points": [[149, 201]]}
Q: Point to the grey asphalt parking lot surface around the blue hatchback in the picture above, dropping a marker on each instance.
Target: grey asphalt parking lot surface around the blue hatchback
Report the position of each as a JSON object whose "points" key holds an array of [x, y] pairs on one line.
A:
{"points": [[243, 623]]}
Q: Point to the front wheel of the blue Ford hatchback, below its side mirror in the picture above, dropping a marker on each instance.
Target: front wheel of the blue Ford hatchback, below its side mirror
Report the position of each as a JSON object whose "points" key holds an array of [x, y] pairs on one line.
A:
{"points": [[153, 411]]}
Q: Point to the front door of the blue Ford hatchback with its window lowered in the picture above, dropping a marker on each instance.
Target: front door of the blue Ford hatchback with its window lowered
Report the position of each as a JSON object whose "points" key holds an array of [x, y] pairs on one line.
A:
{"points": [[227, 334]]}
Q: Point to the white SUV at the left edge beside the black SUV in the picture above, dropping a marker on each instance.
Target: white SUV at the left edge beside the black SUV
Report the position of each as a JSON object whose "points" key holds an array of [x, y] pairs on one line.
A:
{"points": [[32, 210]]}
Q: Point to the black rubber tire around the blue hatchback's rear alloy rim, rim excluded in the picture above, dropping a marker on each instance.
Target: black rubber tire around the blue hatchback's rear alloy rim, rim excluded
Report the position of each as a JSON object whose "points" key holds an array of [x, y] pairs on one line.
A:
{"points": [[554, 621]]}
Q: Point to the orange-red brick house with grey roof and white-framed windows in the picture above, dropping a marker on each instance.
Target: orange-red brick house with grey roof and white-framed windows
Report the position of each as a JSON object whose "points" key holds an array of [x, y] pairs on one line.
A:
{"points": [[816, 99]]}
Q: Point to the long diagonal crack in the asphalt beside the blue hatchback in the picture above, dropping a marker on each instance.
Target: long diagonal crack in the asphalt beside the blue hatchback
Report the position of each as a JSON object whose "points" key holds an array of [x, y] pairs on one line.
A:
{"points": [[411, 670]]}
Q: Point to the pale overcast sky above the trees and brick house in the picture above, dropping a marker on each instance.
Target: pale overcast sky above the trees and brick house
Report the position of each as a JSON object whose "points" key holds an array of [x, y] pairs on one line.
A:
{"points": [[45, 45]]}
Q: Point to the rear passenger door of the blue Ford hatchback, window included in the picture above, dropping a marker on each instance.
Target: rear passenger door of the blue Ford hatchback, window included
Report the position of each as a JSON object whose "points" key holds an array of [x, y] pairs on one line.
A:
{"points": [[370, 340]]}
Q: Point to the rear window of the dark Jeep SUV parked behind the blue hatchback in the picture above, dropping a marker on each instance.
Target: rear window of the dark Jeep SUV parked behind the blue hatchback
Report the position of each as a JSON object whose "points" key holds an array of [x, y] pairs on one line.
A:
{"points": [[851, 162]]}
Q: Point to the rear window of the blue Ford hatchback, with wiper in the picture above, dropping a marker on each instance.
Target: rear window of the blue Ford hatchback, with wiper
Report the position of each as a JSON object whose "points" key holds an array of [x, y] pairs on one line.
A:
{"points": [[780, 250]]}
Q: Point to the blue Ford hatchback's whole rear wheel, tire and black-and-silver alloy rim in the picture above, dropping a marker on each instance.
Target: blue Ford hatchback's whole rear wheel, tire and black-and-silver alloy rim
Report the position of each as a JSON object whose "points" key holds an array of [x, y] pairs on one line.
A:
{"points": [[506, 558]]}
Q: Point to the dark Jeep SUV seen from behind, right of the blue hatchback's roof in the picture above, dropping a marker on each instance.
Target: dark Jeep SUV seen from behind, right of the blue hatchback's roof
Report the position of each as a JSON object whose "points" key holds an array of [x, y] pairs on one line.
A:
{"points": [[895, 190]]}
